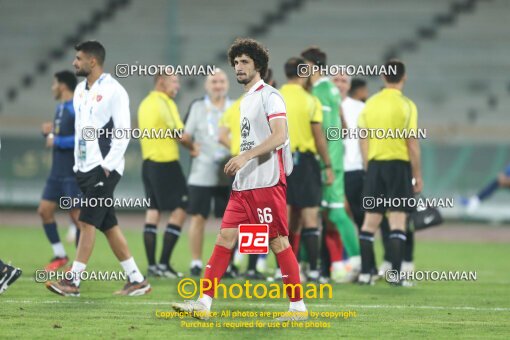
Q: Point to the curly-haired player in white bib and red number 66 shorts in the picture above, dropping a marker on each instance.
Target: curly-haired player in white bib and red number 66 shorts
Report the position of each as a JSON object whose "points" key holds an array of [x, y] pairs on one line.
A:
{"points": [[259, 189]]}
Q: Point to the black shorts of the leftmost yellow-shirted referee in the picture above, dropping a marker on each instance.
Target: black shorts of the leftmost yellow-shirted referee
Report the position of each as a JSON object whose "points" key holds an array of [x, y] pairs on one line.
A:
{"points": [[164, 185]]}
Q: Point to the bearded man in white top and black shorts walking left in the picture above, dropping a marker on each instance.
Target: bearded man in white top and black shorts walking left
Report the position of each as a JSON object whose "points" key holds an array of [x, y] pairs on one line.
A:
{"points": [[101, 104]]}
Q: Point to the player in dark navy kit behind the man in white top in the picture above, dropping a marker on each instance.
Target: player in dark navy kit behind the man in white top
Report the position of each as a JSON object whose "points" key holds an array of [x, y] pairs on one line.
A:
{"points": [[62, 180]]}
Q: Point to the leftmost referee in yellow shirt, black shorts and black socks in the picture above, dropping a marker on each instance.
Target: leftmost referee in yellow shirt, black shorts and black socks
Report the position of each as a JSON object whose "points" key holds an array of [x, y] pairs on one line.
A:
{"points": [[163, 179]]}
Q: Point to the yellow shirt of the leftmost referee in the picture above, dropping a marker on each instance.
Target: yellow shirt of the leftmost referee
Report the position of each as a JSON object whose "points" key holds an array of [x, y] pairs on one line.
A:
{"points": [[158, 111]]}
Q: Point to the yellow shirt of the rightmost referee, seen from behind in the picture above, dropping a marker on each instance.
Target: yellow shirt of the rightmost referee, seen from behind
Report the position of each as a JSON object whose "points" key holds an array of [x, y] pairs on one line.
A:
{"points": [[388, 109]]}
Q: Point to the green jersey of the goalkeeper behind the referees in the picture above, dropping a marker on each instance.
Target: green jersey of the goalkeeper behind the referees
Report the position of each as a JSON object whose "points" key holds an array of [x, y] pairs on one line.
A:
{"points": [[330, 98]]}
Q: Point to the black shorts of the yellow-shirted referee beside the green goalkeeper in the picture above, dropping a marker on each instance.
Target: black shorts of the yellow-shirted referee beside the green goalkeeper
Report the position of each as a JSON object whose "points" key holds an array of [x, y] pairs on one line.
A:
{"points": [[304, 183]]}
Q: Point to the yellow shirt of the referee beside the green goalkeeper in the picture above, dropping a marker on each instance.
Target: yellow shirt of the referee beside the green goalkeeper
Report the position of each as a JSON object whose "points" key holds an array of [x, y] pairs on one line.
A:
{"points": [[303, 109]]}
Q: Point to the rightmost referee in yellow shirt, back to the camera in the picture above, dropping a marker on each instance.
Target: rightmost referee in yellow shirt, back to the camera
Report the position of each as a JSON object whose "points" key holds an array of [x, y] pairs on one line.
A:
{"points": [[391, 166]]}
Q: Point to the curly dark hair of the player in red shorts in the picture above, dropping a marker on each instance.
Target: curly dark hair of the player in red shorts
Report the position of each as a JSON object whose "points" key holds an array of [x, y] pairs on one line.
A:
{"points": [[252, 49]]}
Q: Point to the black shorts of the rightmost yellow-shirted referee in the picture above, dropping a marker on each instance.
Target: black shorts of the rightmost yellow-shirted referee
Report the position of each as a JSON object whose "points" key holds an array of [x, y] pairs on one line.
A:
{"points": [[388, 180]]}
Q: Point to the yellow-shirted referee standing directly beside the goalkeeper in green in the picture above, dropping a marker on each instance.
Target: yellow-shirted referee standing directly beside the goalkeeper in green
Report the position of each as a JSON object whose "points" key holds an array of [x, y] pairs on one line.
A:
{"points": [[307, 141]]}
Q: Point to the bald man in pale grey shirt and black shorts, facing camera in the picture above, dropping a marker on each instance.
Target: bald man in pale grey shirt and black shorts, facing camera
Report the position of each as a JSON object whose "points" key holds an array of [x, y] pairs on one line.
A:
{"points": [[207, 182]]}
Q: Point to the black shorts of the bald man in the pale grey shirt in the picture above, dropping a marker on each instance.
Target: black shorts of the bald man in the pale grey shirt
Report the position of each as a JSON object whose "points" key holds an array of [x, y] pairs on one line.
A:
{"points": [[201, 197]]}
